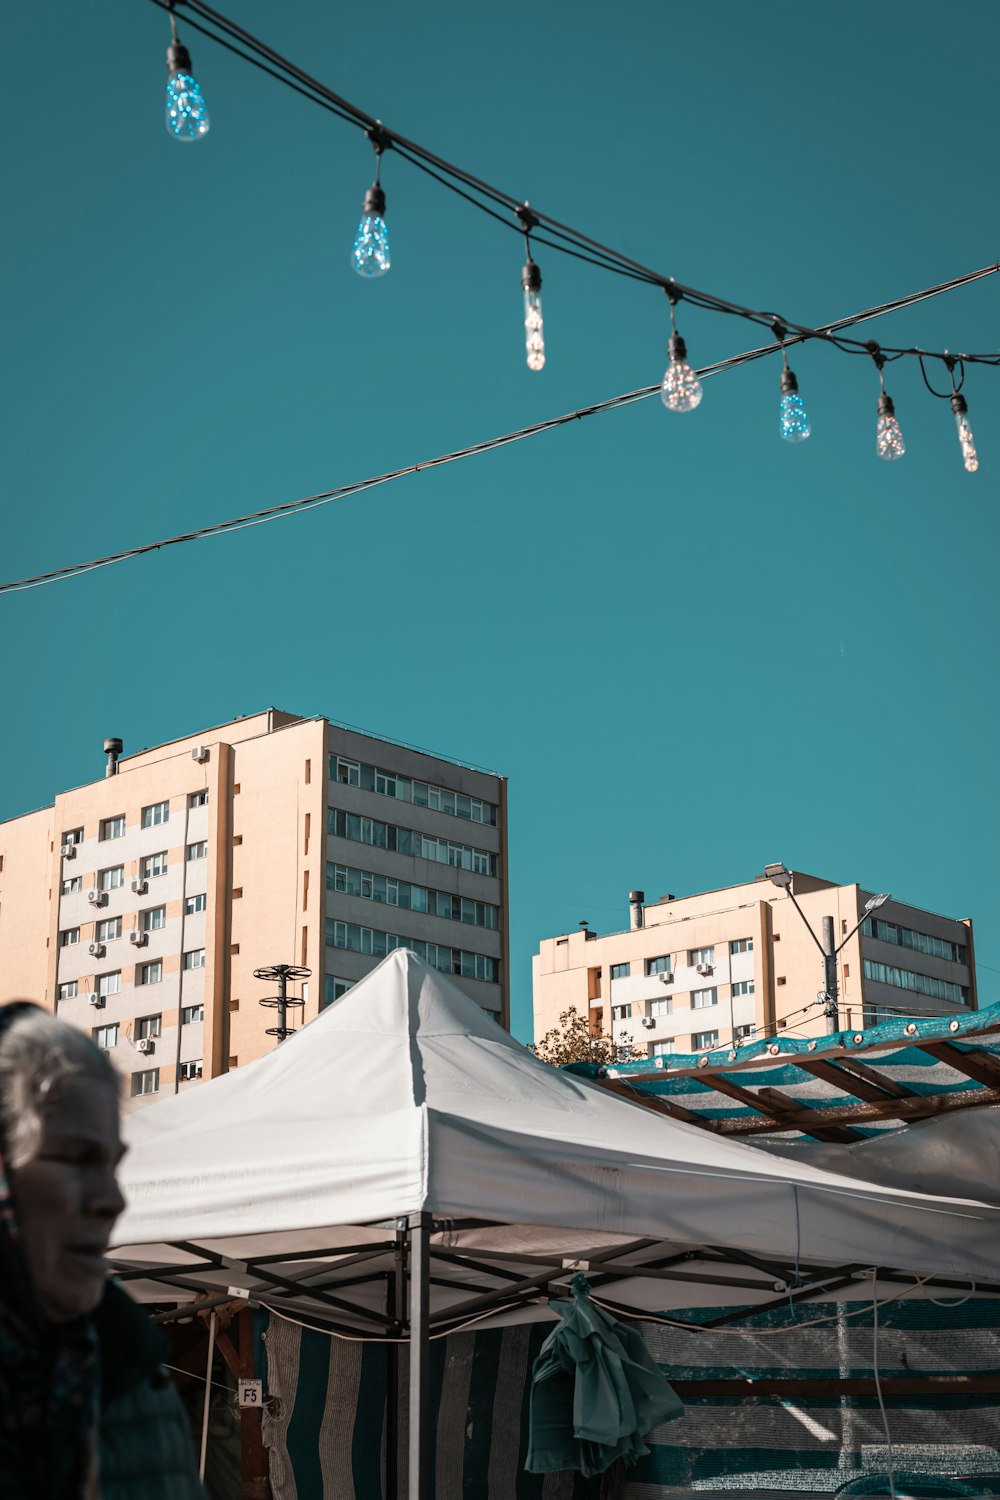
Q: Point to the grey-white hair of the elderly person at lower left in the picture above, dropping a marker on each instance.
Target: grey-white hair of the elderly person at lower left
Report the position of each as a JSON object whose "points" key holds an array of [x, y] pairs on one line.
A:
{"points": [[37, 1054]]}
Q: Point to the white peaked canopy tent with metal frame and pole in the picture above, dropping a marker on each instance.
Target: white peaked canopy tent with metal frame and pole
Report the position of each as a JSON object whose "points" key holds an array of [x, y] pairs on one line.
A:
{"points": [[403, 1166]]}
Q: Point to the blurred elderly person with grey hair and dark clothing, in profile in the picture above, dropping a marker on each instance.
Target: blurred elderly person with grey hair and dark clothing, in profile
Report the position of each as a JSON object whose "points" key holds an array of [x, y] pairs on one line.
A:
{"points": [[86, 1409]]}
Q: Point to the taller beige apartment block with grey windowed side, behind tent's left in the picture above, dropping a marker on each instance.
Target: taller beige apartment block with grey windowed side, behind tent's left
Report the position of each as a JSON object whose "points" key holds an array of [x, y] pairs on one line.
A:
{"points": [[140, 905]]}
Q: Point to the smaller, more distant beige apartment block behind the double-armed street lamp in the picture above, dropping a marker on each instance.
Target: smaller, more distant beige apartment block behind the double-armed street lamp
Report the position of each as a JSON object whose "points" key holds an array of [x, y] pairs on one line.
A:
{"points": [[698, 973]]}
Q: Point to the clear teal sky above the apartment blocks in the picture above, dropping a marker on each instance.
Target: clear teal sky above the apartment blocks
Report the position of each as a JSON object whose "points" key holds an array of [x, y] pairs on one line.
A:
{"points": [[692, 649]]}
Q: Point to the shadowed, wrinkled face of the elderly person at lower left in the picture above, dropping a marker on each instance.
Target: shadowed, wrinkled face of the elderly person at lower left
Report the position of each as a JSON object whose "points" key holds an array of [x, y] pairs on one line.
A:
{"points": [[67, 1196]]}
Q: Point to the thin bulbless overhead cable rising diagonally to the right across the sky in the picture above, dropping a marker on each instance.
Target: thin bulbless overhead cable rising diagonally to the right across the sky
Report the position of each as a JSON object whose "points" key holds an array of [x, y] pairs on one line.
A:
{"points": [[488, 446]]}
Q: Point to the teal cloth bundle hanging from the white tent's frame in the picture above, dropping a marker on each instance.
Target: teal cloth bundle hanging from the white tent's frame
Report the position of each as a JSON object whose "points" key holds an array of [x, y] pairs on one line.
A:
{"points": [[594, 1391]]}
